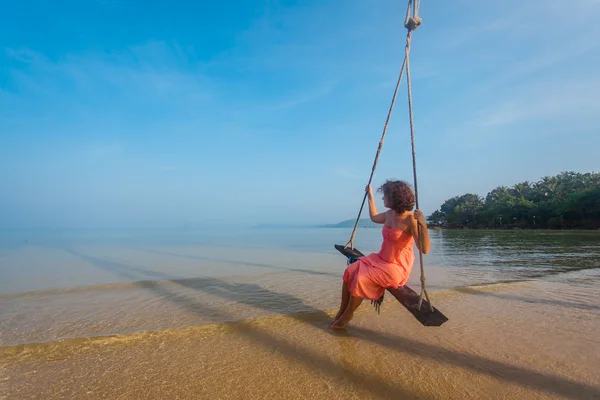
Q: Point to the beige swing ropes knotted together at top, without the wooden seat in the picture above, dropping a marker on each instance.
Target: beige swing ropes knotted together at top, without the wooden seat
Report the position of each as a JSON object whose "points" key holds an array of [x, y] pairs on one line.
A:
{"points": [[412, 21]]}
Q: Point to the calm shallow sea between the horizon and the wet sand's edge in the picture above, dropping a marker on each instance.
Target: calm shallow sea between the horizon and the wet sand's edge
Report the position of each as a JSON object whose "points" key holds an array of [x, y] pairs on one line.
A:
{"points": [[63, 285]]}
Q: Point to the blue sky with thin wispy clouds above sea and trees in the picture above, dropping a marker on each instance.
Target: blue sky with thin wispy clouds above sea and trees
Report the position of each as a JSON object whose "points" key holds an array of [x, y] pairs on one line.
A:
{"points": [[155, 113]]}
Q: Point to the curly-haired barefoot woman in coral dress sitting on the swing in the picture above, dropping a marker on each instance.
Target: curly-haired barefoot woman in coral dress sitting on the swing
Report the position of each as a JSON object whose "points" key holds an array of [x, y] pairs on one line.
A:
{"points": [[370, 276]]}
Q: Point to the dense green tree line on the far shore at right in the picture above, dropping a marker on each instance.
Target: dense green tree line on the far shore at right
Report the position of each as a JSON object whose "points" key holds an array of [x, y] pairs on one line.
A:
{"points": [[569, 200]]}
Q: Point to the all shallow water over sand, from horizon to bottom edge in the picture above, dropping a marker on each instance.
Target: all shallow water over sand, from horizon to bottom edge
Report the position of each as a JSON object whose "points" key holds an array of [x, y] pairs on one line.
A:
{"points": [[142, 315]]}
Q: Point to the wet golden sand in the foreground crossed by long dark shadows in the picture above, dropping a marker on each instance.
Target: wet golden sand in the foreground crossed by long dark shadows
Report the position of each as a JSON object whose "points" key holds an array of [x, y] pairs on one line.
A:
{"points": [[529, 340]]}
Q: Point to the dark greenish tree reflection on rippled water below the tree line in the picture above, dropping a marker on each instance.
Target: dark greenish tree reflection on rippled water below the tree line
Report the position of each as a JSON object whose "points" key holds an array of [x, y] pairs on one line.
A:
{"points": [[503, 256]]}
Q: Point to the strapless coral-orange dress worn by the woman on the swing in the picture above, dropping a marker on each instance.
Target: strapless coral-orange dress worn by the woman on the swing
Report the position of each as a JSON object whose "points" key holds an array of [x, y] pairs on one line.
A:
{"points": [[371, 275]]}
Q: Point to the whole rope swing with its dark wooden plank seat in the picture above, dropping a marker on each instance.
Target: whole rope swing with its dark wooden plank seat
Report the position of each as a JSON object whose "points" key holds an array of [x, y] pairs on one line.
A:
{"points": [[413, 302]]}
